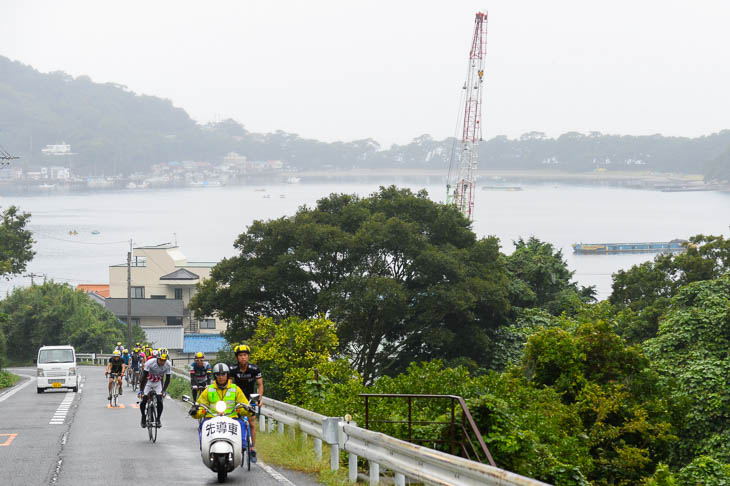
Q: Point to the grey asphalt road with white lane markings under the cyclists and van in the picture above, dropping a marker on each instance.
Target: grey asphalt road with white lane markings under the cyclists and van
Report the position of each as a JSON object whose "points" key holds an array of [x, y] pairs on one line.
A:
{"points": [[65, 438]]}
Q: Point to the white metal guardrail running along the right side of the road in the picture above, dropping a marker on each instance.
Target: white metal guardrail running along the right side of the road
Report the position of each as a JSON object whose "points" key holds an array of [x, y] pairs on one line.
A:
{"points": [[406, 460]]}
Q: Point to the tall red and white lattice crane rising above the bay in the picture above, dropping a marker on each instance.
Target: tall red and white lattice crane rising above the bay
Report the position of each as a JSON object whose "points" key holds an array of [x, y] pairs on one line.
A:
{"points": [[460, 185]]}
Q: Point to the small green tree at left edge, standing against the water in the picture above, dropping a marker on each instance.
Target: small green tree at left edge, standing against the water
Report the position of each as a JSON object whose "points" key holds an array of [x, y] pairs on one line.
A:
{"points": [[15, 242]]}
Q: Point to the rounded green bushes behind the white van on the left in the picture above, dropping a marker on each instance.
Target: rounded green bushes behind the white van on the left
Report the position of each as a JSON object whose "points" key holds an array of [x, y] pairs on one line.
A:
{"points": [[52, 314]]}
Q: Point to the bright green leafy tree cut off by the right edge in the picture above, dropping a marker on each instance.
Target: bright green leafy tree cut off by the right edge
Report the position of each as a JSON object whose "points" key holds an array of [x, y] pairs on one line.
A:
{"points": [[691, 354]]}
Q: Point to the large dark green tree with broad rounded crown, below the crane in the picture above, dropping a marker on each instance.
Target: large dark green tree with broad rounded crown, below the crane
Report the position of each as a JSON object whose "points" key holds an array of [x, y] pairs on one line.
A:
{"points": [[403, 278]]}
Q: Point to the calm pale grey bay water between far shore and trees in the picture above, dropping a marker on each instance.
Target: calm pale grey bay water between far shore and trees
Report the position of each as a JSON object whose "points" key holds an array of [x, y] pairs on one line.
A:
{"points": [[206, 221]]}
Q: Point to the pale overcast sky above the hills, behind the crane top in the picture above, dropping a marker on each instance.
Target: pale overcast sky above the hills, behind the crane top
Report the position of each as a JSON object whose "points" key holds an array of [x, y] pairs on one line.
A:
{"points": [[393, 70]]}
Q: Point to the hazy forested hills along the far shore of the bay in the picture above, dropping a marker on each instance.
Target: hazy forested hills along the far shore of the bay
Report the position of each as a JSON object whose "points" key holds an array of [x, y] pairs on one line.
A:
{"points": [[113, 130]]}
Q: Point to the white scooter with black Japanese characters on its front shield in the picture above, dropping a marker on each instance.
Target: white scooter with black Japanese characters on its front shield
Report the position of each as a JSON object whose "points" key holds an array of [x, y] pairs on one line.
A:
{"points": [[220, 445]]}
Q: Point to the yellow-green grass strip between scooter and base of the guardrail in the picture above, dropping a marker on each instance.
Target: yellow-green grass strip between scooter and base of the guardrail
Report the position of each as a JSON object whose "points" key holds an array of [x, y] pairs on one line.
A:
{"points": [[298, 455]]}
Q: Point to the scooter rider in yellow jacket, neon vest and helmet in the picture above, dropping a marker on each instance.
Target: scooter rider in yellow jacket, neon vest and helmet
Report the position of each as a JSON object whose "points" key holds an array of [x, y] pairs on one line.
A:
{"points": [[222, 389]]}
